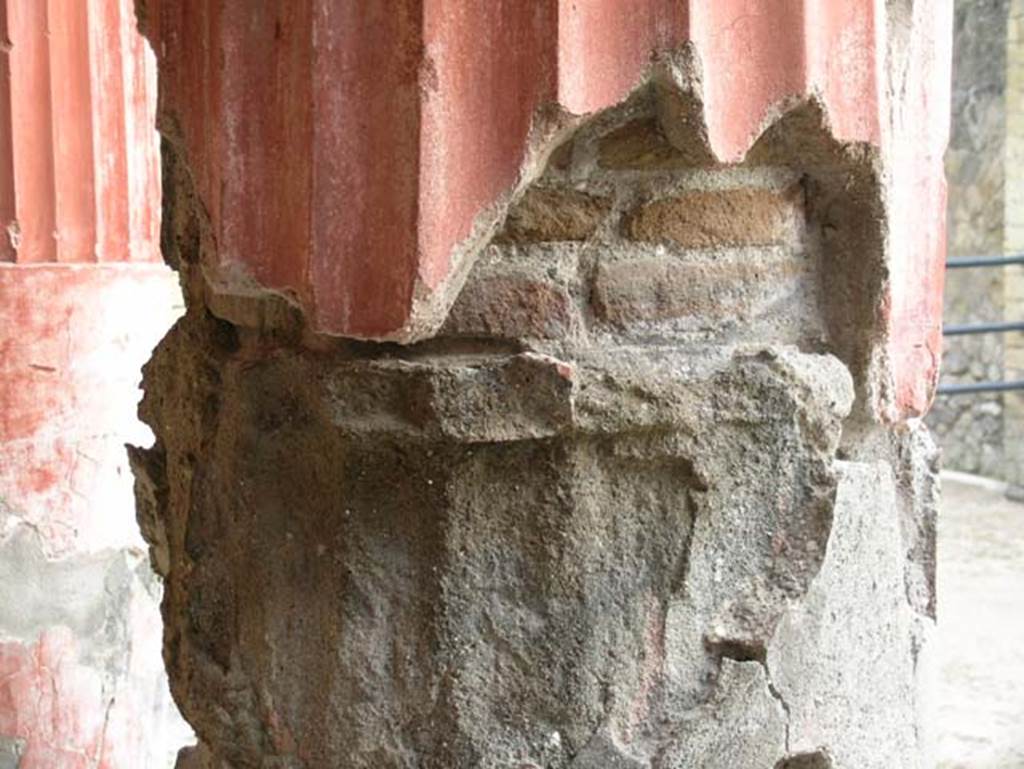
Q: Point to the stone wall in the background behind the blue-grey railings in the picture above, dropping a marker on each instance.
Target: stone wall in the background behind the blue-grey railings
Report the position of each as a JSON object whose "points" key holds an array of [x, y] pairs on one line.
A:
{"points": [[978, 433]]}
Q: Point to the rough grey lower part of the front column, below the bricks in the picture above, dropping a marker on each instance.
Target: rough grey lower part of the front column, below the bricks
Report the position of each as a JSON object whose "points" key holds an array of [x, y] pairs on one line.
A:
{"points": [[637, 559]]}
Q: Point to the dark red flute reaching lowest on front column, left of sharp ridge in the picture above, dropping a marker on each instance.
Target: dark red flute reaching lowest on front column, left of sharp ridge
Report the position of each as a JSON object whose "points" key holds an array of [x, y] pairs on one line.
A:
{"points": [[366, 150]]}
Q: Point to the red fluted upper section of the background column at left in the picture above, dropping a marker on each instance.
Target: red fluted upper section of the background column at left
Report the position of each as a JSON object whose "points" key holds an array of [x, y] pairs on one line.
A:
{"points": [[79, 182]]}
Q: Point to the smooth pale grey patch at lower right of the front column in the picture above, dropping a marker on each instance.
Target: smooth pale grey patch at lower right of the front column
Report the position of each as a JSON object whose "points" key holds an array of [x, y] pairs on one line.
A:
{"points": [[844, 659]]}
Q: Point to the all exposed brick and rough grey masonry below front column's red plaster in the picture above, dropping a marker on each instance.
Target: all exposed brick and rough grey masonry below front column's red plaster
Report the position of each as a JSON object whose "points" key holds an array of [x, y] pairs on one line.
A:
{"points": [[628, 506]]}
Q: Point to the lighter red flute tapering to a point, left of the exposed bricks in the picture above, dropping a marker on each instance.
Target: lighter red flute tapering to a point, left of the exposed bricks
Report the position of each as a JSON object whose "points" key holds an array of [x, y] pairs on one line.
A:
{"points": [[477, 112]]}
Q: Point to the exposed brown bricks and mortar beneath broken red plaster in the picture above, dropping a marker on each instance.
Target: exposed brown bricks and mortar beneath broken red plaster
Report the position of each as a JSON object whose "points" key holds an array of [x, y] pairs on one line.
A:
{"points": [[626, 235]]}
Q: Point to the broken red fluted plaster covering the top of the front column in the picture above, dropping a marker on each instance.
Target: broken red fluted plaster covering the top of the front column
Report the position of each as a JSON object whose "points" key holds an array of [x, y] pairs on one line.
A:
{"points": [[356, 199]]}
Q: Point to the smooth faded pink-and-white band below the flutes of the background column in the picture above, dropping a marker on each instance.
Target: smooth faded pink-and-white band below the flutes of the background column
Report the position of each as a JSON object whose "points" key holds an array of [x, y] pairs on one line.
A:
{"points": [[73, 340]]}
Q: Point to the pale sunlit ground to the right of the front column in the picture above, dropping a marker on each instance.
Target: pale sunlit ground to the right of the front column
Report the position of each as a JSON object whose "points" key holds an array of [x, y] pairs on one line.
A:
{"points": [[979, 708]]}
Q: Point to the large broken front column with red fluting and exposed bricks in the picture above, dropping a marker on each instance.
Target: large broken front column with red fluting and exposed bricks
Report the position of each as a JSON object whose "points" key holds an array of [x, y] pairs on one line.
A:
{"points": [[550, 386]]}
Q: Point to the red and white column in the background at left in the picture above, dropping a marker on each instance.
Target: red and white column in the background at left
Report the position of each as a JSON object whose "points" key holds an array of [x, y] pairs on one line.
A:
{"points": [[84, 297]]}
